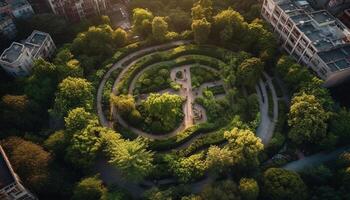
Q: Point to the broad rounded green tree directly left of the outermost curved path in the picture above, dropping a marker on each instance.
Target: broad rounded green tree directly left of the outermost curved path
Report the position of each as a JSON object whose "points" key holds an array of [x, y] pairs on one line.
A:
{"points": [[73, 93]]}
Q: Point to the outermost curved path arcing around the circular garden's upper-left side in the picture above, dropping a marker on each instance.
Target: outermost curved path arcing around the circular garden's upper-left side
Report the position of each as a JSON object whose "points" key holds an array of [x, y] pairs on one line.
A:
{"points": [[136, 56]]}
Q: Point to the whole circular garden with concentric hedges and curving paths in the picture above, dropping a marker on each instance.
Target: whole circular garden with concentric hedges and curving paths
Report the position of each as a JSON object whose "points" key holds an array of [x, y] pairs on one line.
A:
{"points": [[184, 97]]}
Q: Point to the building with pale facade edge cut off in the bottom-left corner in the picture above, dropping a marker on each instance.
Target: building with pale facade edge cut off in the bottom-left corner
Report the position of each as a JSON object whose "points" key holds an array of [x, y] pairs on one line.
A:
{"points": [[11, 187]]}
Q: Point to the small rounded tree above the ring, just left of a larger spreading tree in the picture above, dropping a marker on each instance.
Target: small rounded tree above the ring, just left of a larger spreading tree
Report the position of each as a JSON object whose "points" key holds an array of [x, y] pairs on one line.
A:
{"points": [[201, 30]]}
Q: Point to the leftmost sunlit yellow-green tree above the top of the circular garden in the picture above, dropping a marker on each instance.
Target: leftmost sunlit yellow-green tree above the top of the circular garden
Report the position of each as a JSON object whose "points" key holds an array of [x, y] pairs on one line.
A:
{"points": [[142, 21]]}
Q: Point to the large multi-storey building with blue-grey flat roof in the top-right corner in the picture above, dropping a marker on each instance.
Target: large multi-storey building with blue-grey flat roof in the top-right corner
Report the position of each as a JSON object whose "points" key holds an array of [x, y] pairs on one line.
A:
{"points": [[313, 37]]}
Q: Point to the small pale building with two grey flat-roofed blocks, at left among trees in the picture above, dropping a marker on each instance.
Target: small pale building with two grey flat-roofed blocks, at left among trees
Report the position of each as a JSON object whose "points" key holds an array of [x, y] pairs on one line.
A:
{"points": [[17, 60]]}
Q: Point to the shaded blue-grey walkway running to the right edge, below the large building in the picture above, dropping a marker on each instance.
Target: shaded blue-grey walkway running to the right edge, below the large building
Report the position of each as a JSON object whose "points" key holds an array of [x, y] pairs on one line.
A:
{"points": [[314, 160]]}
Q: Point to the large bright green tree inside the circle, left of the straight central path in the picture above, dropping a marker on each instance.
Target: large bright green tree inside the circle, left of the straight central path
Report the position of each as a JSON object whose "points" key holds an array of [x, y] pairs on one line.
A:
{"points": [[165, 108]]}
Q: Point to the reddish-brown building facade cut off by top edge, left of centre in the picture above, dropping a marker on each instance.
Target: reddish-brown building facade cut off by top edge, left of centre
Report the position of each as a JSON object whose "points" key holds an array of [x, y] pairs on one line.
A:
{"points": [[78, 9]]}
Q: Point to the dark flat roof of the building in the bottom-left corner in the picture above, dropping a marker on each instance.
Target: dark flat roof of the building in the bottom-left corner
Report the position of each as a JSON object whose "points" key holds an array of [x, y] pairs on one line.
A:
{"points": [[6, 176]]}
